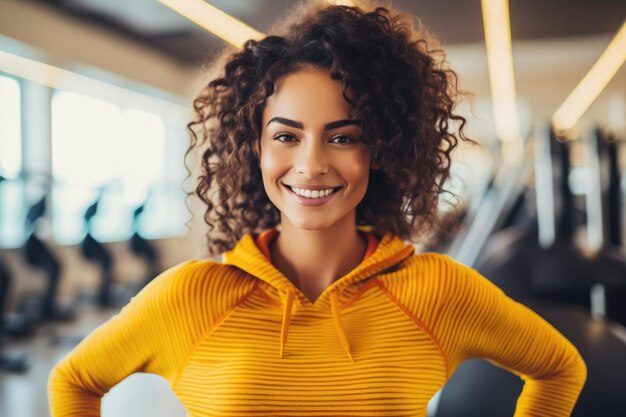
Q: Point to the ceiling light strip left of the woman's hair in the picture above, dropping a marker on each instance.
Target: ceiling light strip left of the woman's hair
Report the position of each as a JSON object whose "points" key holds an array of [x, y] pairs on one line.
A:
{"points": [[214, 20]]}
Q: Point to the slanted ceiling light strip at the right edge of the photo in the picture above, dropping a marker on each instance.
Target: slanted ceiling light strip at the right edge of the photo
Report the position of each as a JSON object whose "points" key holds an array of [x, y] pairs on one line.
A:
{"points": [[592, 84]]}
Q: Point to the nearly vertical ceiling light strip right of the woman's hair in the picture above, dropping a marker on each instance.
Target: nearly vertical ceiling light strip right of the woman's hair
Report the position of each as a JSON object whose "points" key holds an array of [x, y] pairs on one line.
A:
{"points": [[500, 61]]}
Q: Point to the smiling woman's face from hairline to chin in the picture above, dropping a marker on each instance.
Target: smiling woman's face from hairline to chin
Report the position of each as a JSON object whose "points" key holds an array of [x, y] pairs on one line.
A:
{"points": [[309, 140]]}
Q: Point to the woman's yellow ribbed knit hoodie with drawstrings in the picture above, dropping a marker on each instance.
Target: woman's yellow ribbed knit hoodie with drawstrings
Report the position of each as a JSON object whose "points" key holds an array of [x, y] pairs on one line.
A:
{"points": [[237, 338]]}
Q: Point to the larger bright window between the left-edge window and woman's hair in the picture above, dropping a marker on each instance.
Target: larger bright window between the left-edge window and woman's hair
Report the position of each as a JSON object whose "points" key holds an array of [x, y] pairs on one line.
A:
{"points": [[102, 150]]}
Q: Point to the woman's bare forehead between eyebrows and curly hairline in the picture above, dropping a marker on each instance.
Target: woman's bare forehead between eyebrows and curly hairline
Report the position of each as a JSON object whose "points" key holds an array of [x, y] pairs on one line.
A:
{"points": [[309, 96]]}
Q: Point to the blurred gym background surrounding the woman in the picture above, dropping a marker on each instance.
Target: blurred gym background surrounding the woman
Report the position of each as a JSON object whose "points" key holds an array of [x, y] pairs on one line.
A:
{"points": [[94, 99]]}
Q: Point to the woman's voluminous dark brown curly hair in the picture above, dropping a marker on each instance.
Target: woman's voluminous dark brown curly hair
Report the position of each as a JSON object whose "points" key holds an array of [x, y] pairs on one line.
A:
{"points": [[403, 93]]}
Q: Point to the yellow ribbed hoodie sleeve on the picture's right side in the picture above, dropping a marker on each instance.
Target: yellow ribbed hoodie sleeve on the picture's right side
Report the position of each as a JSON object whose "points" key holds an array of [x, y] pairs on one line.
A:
{"points": [[478, 320]]}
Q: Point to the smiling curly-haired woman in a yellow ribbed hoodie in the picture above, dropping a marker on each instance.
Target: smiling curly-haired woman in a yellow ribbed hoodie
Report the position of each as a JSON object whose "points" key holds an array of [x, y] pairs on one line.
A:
{"points": [[324, 148]]}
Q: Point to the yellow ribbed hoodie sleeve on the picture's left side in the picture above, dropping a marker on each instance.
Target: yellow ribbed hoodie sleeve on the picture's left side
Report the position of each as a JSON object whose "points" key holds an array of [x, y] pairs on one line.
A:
{"points": [[149, 334]]}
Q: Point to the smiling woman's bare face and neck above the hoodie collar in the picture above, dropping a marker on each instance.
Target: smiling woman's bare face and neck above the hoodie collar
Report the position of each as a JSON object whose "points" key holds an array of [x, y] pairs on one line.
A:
{"points": [[313, 147]]}
